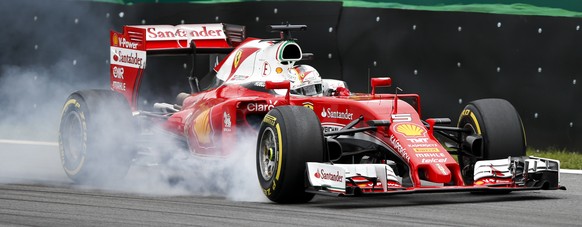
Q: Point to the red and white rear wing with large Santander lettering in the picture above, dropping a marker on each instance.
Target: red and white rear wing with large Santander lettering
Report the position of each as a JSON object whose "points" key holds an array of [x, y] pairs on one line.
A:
{"points": [[129, 49]]}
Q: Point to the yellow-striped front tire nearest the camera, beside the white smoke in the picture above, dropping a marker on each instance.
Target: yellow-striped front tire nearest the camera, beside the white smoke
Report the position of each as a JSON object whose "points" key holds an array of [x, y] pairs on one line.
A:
{"points": [[289, 137]]}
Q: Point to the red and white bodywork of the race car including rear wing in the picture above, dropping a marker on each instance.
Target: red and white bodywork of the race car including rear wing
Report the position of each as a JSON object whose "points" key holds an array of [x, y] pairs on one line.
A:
{"points": [[212, 121]]}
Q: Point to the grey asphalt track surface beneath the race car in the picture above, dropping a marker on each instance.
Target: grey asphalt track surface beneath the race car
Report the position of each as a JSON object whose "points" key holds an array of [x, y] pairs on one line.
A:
{"points": [[35, 196]]}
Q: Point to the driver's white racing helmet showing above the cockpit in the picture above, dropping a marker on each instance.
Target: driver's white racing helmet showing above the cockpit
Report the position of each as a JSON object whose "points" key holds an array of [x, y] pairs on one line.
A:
{"points": [[305, 80]]}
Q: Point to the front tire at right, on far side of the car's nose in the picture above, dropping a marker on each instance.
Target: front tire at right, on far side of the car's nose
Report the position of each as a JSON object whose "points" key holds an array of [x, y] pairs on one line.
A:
{"points": [[500, 126]]}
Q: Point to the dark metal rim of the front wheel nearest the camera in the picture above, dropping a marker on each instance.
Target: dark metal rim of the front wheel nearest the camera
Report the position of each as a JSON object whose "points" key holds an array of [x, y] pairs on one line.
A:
{"points": [[268, 154]]}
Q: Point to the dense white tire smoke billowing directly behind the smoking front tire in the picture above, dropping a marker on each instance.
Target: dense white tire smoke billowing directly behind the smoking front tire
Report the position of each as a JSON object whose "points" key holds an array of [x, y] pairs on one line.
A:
{"points": [[233, 176]]}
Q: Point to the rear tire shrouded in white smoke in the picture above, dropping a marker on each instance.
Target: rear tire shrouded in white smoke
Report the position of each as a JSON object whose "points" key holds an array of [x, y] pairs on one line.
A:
{"points": [[96, 136]]}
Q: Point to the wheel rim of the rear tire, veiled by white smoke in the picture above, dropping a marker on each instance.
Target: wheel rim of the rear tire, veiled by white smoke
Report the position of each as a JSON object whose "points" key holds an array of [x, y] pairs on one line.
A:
{"points": [[72, 135]]}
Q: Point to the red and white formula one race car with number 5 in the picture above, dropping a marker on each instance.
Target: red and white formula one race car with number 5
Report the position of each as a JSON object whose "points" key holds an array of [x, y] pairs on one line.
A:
{"points": [[313, 135]]}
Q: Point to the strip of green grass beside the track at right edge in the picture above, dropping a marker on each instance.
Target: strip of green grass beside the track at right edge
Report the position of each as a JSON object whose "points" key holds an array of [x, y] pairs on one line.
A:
{"points": [[568, 159]]}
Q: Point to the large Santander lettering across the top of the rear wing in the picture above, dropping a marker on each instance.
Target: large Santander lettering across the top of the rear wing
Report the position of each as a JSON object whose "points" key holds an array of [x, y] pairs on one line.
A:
{"points": [[183, 32]]}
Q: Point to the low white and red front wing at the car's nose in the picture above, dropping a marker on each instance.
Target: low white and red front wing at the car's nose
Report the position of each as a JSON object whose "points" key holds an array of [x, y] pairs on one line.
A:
{"points": [[501, 175]]}
